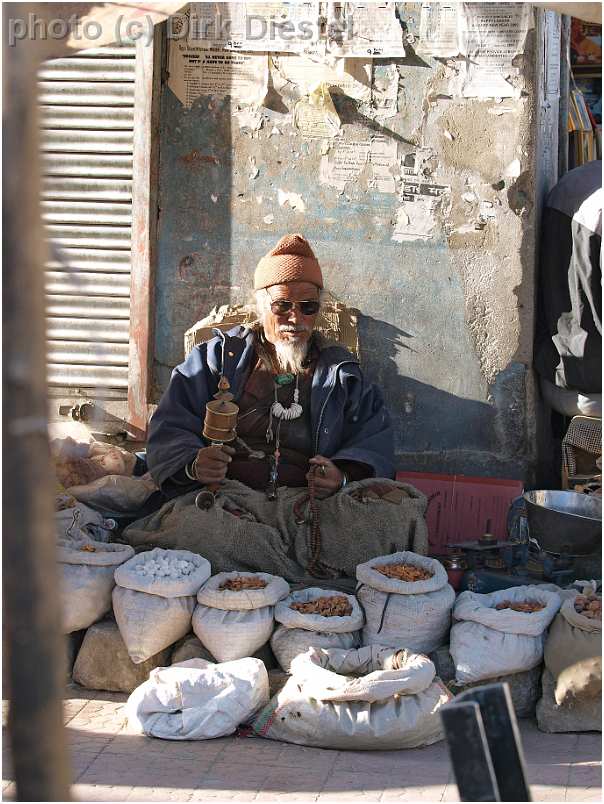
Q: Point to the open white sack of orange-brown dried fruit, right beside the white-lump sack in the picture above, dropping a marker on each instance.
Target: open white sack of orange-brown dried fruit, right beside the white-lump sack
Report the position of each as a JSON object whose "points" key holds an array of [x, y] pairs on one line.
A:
{"points": [[235, 612]]}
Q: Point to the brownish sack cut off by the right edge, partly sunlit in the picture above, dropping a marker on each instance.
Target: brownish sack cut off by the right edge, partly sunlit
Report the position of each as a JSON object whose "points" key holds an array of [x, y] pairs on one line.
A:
{"points": [[573, 651]]}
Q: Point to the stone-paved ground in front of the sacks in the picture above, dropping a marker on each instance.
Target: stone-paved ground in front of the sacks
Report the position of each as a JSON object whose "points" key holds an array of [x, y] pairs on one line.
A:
{"points": [[110, 764]]}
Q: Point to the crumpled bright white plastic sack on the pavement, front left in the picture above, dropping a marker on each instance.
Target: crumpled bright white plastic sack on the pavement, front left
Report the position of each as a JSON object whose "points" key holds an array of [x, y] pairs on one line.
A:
{"points": [[198, 700]]}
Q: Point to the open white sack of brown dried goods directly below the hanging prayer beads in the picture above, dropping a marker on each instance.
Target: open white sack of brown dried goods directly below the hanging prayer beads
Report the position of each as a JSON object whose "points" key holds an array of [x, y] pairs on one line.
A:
{"points": [[315, 618]]}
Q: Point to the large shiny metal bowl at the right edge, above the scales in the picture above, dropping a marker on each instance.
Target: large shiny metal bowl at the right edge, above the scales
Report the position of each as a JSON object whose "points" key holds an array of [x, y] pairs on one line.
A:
{"points": [[565, 521]]}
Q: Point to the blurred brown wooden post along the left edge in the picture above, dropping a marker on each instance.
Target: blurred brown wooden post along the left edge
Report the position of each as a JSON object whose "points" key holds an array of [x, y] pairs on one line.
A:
{"points": [[33, 639]]}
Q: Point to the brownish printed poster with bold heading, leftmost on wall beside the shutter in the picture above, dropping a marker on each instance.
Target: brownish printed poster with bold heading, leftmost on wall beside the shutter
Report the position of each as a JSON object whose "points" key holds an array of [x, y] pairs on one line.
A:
{"points": [[195, 71]]}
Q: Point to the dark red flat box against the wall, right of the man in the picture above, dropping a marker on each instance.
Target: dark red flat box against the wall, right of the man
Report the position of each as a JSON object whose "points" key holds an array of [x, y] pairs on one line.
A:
{"points": [[459, 506]]}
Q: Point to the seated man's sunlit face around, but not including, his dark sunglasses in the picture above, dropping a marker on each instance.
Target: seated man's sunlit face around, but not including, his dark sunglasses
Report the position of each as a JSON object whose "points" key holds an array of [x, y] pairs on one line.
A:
{"points": [[291, 326]]}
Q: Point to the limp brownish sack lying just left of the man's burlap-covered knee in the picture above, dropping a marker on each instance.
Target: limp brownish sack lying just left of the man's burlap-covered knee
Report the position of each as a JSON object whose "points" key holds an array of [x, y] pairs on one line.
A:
{"points": [[116, 494]]}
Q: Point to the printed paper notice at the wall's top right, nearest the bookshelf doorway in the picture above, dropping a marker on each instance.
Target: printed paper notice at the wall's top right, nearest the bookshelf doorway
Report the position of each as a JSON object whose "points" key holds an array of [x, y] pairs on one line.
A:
{"points": [[491, 36]]}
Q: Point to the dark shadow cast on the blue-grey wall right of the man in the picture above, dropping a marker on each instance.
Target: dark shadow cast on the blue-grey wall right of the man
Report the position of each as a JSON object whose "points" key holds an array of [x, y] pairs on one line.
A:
{"points": [[438, 431]]}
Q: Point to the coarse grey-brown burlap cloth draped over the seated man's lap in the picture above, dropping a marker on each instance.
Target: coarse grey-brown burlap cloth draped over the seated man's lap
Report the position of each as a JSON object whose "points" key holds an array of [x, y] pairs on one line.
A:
{"points": [[246, 531]]}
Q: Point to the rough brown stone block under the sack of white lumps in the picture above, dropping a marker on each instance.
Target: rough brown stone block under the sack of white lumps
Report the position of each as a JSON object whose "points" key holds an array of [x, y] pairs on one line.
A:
{"points": [[103, 662]]}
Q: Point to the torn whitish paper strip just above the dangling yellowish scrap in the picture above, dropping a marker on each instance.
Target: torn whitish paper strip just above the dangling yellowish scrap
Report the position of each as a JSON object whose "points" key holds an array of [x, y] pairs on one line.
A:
{"points": [[351, 77]]}
